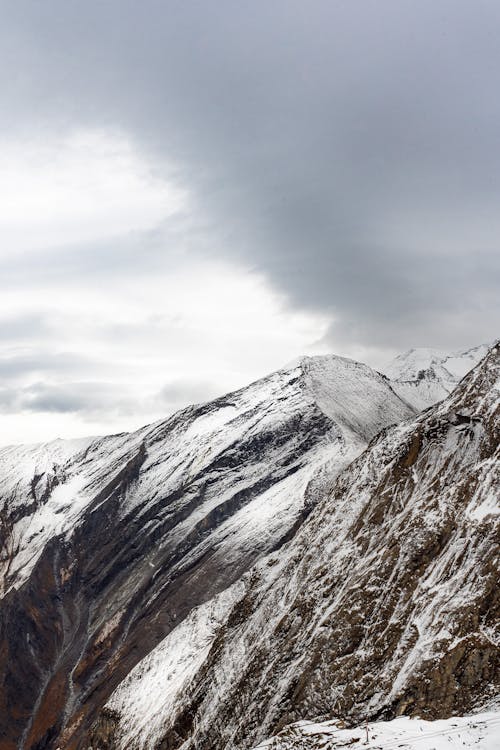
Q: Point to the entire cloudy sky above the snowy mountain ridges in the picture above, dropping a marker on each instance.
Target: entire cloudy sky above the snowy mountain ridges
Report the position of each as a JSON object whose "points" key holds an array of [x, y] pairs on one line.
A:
{"points": [[194, 193]]}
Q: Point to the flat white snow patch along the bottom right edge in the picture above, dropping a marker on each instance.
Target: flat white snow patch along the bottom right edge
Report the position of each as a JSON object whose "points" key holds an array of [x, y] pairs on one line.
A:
{"points": [[480, 731]]}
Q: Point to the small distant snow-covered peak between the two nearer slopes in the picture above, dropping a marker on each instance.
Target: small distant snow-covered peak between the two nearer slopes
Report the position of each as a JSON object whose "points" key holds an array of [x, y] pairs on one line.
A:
{"points": [[424, 376]]}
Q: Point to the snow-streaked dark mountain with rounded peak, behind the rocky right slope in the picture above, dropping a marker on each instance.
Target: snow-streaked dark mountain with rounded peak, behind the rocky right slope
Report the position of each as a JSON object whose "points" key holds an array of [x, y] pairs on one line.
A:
{"points": [[109, 544]]}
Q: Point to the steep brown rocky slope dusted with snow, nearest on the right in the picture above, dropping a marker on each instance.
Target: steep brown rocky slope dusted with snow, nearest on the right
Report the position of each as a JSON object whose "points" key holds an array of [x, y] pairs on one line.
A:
{"points": [[386, 601]]}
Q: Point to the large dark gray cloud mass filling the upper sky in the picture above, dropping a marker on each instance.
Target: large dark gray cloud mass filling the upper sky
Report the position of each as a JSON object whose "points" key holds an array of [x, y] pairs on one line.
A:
{"points": [[351, 152]]}
